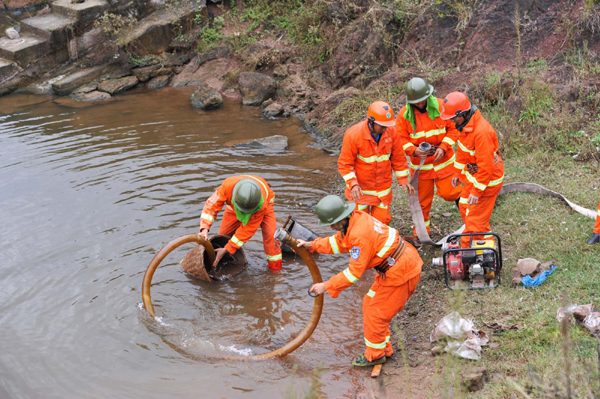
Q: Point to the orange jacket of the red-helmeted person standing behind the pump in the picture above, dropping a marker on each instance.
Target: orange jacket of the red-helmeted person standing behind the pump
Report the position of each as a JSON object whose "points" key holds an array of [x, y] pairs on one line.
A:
{"points": [[478, 144]]}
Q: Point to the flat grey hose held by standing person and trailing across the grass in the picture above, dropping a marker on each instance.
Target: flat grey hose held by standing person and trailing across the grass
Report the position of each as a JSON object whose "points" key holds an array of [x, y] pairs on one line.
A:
{"points": [[419, 221]]}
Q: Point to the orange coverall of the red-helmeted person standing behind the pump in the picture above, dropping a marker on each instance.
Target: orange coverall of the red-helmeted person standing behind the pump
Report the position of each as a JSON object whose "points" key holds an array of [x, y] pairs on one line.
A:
{"points": [[478, 145]]}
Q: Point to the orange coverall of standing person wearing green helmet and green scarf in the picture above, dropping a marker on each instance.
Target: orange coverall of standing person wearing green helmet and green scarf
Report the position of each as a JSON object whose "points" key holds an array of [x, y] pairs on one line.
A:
{"points": [[437, 132]]}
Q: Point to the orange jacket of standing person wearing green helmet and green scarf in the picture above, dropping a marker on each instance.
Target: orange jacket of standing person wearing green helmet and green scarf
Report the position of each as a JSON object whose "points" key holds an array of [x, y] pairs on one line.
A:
{"points": [[436, 132]]}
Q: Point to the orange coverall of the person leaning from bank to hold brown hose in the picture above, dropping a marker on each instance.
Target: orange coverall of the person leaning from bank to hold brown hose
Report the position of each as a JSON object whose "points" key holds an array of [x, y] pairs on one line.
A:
{"points": [[370, 243]]}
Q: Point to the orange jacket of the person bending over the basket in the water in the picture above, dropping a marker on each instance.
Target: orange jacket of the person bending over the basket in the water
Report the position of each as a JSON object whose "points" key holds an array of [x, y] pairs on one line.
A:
{"points": [[223, 196]]}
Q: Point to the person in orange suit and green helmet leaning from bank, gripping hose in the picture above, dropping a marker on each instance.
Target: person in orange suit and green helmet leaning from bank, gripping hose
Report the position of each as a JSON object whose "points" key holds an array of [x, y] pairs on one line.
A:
{"points": [[371, 244]]}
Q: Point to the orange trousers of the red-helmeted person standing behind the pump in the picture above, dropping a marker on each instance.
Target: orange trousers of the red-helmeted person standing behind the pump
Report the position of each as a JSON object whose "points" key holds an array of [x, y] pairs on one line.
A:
{"points": [[476, 216]]}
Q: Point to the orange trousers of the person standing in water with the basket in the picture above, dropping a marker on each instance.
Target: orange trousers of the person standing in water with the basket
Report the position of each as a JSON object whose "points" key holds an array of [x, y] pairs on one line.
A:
{"points": [[229, 225]]}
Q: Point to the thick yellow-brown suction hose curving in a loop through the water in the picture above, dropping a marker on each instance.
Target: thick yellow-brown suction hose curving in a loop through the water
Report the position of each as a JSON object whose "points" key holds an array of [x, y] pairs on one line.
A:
{"points": [[280, 235]]}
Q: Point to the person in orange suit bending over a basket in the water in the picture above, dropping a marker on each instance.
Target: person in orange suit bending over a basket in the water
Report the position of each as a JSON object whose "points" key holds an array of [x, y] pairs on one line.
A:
{"points": [[249, 205]]}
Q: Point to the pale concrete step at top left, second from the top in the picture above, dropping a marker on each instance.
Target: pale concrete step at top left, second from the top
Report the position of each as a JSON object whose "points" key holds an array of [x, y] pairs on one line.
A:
{"points": [[54, 27]]}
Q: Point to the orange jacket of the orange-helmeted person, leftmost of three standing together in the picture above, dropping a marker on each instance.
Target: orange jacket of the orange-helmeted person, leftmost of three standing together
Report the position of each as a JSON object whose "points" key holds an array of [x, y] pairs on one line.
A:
{"points": [[364, 162]]}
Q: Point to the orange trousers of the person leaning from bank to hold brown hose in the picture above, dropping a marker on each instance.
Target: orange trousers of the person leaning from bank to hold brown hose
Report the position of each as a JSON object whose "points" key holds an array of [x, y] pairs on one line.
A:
{"points": [[380, 306]]}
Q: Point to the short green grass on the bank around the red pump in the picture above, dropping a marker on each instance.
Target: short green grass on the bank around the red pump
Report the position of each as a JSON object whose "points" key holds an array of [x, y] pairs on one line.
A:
{"points": [[540, 227]]}
